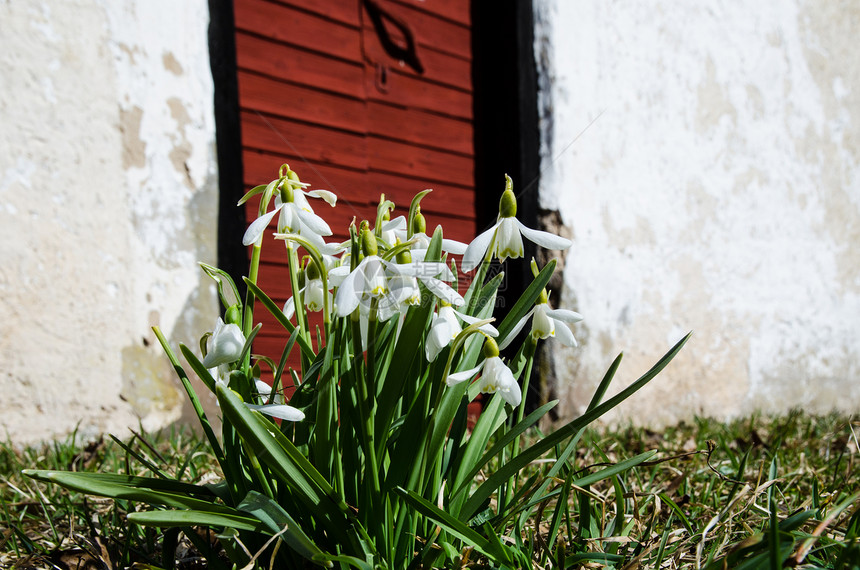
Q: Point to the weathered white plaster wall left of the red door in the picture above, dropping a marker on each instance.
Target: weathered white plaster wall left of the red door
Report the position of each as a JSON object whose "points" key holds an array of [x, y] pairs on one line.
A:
{"points": [[108, 198]]}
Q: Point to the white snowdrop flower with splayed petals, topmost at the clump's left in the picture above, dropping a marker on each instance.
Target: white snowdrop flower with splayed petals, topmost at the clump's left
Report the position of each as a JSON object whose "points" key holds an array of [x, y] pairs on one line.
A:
{"points": [[296, 215]]}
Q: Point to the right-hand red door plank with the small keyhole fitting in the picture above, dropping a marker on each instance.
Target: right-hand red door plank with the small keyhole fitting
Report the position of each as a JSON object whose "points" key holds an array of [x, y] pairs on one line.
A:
{"points": [[416, 93]]}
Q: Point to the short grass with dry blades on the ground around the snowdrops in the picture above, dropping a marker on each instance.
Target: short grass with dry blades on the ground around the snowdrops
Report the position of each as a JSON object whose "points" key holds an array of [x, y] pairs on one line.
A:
{"points": [[755, 493]]}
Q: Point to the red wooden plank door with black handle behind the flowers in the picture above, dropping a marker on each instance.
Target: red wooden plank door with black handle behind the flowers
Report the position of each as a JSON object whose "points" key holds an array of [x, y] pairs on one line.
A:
{"points": [[360, 97]]}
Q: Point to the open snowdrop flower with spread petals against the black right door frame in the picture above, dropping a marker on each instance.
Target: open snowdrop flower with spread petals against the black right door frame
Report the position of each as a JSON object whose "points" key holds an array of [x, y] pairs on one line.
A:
{"points": [[506, 236]]}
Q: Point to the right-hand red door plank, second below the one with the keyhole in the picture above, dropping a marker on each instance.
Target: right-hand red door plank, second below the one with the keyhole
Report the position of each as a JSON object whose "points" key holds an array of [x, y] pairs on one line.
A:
{"points": [[427, 165]]}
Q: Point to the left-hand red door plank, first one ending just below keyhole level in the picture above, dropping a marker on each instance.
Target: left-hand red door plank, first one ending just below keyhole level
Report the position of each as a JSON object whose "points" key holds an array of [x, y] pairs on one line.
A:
{"points": [[301, 102]]}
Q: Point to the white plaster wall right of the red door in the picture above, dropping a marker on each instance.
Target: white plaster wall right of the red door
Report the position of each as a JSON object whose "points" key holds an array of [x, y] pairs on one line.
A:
{"points": [[713, 187]]}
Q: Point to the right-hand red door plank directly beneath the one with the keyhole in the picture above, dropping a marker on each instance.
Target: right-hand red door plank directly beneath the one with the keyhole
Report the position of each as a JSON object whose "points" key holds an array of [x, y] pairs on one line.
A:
{"points": [[420, 127]]}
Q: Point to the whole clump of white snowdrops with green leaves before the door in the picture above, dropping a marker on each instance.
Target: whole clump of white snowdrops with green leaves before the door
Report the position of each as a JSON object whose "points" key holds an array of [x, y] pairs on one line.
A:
{"points": [[362, 454]]}
